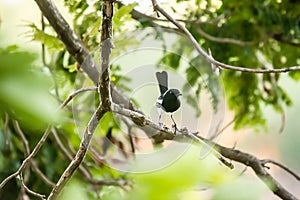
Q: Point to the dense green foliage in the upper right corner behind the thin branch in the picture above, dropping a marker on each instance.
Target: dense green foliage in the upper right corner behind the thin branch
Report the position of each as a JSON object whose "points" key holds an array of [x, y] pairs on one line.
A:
{"points": [[273, 31]]}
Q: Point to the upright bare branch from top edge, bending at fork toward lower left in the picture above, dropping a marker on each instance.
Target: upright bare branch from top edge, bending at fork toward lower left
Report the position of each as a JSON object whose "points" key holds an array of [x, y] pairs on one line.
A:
{"points": [[104, 91]]}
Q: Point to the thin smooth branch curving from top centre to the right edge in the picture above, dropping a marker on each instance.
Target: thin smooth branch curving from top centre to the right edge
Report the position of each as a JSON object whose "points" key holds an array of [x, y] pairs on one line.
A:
{"points": [[205, 55]]}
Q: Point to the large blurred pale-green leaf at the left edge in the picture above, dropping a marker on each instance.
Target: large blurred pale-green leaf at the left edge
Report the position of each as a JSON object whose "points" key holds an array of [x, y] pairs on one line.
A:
{"points": [[23, 92]]}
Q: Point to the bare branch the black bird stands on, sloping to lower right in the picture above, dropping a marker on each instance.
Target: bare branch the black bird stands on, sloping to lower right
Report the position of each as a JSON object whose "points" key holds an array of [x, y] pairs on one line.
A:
{"points": [[229, 153]]}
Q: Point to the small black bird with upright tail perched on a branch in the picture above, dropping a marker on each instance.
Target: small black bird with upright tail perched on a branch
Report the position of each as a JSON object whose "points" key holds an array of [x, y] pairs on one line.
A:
{"points": [[168, 101]]}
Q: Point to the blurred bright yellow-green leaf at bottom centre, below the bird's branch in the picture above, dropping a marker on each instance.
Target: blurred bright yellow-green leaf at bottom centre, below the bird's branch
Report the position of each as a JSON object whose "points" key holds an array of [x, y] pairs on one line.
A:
{"points": [[182, 176]]}
